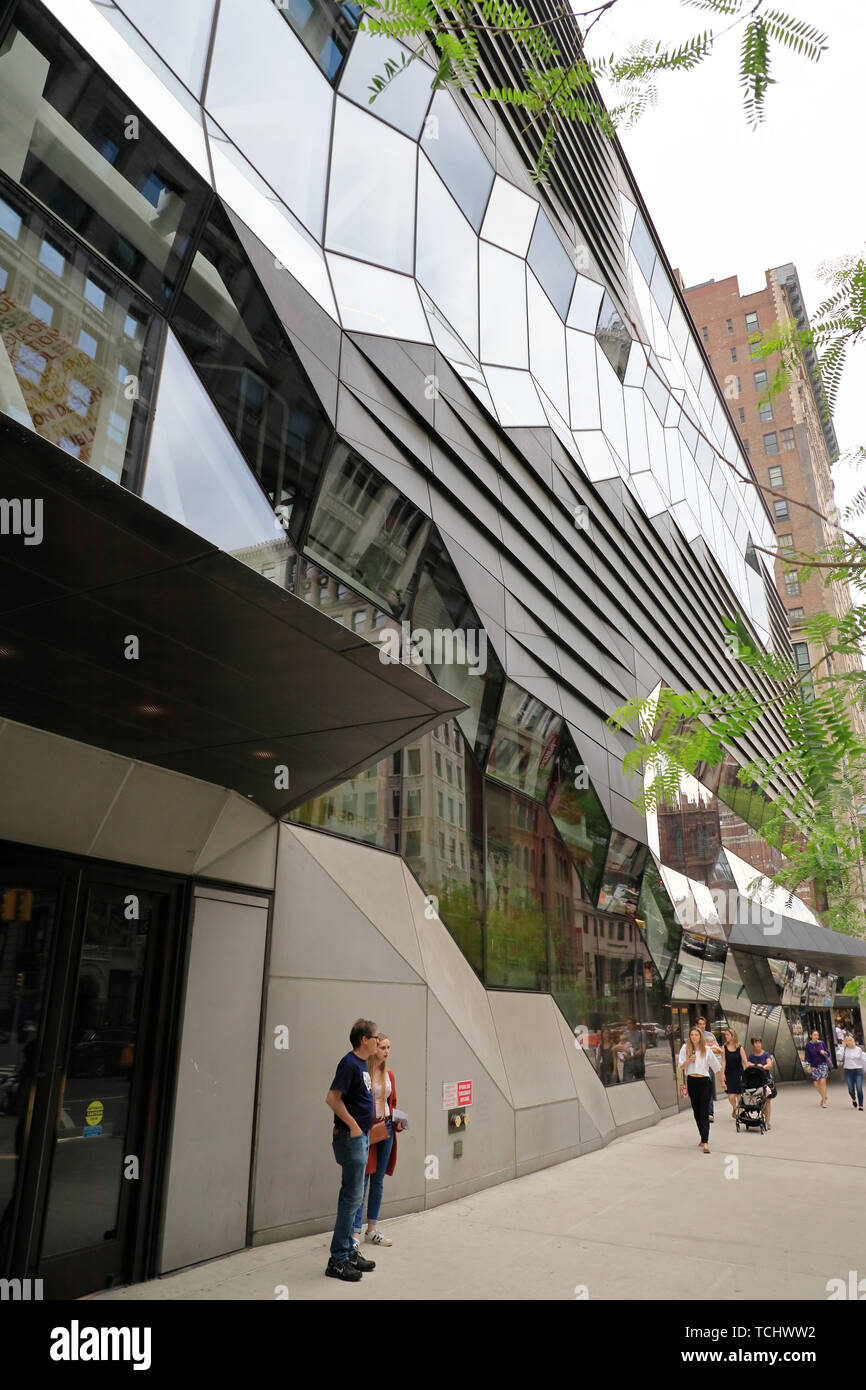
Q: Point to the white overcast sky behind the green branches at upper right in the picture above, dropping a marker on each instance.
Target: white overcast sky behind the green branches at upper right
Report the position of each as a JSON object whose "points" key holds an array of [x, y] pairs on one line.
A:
{"points": [[728, 201]]}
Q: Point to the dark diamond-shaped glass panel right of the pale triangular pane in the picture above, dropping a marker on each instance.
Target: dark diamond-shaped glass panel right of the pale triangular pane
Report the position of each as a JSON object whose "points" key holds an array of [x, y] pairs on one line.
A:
{"points": [[236, 343]]}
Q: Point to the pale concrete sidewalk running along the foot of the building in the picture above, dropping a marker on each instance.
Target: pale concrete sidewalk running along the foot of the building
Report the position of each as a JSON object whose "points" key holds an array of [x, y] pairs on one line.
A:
{"points": [[650, 1217]]}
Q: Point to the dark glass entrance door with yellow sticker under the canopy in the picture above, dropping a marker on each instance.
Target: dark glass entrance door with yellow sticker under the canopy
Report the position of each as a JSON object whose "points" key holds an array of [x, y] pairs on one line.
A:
{"points": [[88, 1027]]}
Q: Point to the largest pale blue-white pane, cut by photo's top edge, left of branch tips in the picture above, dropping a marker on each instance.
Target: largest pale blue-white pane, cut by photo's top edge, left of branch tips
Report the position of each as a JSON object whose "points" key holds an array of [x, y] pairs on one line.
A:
{"points": [[254, 55]]}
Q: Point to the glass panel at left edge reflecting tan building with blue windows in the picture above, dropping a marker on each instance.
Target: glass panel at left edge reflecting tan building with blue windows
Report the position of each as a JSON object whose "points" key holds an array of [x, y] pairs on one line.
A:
{"points": [[77, 344]]}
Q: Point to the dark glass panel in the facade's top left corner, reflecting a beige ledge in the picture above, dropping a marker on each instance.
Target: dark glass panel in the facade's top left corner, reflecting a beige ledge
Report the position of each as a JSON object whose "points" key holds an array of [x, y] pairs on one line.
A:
{"points": [[72, 140]]}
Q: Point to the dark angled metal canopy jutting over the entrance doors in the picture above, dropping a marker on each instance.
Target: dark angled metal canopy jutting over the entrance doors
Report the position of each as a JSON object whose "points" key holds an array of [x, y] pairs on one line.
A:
{"points": [[231, 679]]}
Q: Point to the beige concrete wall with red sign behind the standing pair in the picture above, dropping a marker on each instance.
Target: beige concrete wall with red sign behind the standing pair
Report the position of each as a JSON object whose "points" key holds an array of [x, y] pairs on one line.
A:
{"points": [[352, 938]]}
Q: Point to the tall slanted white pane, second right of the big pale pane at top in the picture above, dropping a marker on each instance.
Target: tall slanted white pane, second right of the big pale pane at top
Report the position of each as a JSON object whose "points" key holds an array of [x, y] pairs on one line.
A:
{"points": [[447, 255]]}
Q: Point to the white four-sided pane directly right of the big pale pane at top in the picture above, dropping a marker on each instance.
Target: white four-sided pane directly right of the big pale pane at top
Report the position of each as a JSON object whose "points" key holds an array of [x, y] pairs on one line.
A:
{"points": [[372, 191]]}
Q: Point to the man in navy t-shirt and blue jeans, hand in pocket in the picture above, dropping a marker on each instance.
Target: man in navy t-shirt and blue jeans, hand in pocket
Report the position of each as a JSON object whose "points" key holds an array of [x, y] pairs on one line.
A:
{"points": [[351, 1099]]}
